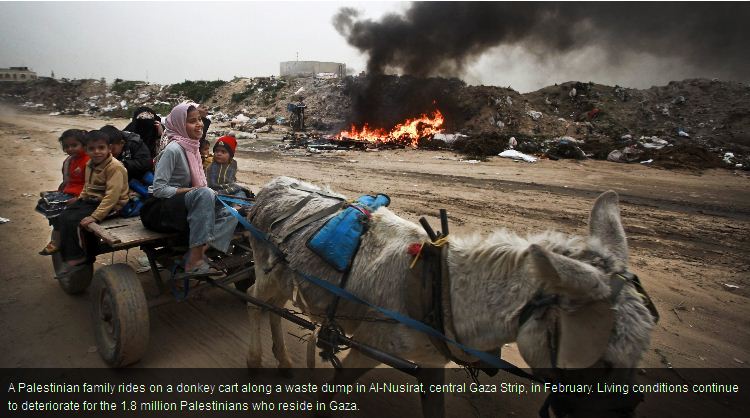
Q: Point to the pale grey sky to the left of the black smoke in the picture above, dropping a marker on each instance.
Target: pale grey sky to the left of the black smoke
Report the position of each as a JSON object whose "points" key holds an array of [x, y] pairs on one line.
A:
{"points": [[169, 42]]}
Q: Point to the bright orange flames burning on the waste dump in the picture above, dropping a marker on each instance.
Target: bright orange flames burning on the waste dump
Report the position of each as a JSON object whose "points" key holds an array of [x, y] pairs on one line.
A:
{"points": [[408, 133]]}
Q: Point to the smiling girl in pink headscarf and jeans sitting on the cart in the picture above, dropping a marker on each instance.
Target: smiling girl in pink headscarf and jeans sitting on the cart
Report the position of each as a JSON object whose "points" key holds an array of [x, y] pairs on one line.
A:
{"points": [[181, 201]]}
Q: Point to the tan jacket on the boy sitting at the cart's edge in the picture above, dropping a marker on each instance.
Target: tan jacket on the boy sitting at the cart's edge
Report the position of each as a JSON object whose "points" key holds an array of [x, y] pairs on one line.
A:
{"points": [[108, 184]]}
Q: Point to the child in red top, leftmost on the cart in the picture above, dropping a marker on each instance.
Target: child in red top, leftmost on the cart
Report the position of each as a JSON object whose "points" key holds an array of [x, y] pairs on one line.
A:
{"points": [[74, 167]]}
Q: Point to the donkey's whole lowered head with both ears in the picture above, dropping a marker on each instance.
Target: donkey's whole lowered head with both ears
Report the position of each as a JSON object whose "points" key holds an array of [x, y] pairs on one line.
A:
{"points": [[588, 311]]}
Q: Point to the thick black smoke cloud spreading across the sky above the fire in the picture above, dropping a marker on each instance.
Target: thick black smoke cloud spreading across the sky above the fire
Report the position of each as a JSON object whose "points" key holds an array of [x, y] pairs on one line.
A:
{"points": [[445, 38]]}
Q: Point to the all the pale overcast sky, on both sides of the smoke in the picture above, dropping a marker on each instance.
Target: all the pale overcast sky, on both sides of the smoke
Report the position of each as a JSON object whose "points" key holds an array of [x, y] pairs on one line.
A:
{"points": [[168, 42]]}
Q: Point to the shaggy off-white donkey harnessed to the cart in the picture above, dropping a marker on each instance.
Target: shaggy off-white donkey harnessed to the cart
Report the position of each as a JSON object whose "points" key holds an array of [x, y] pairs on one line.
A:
{"points": [[492, 281]]}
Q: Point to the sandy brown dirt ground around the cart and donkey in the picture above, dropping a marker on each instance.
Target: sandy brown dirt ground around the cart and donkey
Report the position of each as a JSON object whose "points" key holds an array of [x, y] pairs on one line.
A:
{"points": [[688, 235]]}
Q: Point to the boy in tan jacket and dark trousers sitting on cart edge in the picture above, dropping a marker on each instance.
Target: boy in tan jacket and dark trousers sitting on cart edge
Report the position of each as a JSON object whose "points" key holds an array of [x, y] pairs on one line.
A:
{"points": [[105, 190]]}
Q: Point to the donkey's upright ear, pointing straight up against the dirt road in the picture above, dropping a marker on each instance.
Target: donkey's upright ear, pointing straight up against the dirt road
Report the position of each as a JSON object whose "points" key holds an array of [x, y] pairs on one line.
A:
{"points": [[605, 225]]}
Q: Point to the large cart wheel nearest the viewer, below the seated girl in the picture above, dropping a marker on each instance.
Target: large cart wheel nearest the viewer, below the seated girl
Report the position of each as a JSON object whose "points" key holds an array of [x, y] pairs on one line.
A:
{"points": [[120, 315]]}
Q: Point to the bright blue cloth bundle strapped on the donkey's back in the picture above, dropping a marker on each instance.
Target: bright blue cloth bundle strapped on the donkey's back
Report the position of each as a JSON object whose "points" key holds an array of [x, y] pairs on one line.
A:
{"points": [[337, 241]]}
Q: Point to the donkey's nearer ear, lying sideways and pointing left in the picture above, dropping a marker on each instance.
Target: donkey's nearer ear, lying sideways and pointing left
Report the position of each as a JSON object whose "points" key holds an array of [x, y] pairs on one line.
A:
{"points": [[568, 275]]}
